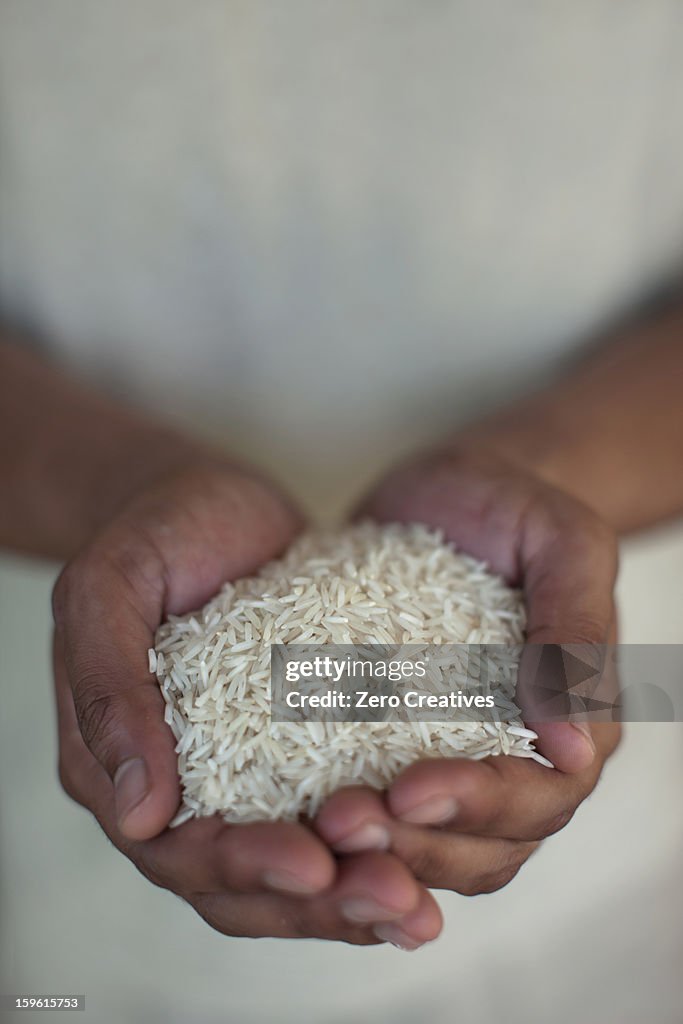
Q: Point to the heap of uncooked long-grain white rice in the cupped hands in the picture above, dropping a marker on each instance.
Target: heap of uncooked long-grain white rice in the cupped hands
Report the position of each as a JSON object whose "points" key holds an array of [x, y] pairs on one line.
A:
{"points": [[365, 584]]}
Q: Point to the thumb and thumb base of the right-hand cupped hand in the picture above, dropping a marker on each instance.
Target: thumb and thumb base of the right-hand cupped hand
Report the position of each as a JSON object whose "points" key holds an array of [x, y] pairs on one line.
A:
{"points": [[534, 536]]}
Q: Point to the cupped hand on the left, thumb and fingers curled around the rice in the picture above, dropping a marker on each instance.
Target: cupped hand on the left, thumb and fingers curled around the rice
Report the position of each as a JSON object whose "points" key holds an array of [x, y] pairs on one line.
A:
{"points": [[167, 552]]}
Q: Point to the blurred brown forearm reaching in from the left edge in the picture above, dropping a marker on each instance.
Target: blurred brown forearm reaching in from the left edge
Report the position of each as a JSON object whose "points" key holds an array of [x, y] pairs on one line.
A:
{"points": [[70, 458]]}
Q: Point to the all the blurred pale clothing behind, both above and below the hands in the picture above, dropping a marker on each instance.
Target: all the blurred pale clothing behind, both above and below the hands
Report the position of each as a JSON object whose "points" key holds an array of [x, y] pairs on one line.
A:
{"points": [[328, 233]]}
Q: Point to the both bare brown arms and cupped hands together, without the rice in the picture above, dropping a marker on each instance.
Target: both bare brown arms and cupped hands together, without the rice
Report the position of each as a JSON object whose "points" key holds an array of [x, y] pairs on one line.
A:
{"points": [[151, 523]]}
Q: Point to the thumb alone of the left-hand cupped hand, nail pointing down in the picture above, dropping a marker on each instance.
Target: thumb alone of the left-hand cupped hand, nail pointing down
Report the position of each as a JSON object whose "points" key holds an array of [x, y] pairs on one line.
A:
{"points": [[105, 637]]}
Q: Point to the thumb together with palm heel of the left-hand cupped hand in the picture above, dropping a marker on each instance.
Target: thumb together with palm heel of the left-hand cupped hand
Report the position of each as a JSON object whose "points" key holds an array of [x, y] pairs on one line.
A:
{"points": [[166, 553]]}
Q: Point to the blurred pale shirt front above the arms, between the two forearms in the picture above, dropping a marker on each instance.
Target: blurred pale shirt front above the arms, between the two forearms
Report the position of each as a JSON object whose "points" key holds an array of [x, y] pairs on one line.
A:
{"points": [[331, 230]]}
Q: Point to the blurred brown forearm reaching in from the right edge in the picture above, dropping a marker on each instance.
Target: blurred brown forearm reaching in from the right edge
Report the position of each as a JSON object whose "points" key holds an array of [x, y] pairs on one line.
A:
{"points": [[612, 432]]}
